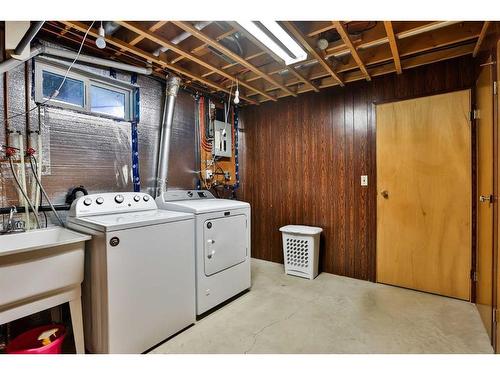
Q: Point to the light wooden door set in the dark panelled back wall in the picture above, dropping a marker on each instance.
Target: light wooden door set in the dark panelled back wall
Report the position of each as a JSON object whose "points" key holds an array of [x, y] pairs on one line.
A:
{"points": [[424, 194]]}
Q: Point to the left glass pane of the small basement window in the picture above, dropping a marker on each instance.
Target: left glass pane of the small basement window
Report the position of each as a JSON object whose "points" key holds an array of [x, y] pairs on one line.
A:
{"points": [[71, 92]]}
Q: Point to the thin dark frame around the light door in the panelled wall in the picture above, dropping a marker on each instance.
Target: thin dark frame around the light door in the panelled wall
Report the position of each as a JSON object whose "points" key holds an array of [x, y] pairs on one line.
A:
{"points": [[473, 176]]}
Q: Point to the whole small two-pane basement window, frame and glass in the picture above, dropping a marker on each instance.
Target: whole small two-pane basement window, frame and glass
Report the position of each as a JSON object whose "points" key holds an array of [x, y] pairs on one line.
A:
{"points": [[83, 91]]}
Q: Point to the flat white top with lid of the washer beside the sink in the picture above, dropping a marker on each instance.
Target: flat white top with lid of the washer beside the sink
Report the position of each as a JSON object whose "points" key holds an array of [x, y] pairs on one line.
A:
{"points": [[126, 220]]}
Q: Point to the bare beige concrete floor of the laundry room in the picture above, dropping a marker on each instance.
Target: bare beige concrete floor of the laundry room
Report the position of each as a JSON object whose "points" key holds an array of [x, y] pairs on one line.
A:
{"points": [[332, 314]]}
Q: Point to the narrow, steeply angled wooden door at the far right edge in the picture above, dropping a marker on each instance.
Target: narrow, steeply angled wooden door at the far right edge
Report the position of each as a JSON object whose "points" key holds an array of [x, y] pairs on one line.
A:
{"points": [[484, 254]]}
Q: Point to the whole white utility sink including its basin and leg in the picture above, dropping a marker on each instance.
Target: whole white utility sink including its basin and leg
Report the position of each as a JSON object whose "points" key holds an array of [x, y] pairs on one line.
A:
{"points": [[41, 269]]}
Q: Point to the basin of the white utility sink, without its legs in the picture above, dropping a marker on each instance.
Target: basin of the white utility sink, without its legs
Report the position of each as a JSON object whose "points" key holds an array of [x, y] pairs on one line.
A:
{"points": [[38, 262]]}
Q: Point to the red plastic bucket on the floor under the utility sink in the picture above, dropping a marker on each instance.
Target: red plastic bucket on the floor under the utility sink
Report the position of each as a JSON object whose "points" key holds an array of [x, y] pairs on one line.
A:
{"points": [[28, 343]]}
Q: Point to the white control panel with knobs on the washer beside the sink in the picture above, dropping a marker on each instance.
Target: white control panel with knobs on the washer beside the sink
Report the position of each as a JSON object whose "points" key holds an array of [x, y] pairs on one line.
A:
{"points": [[110, 203]]}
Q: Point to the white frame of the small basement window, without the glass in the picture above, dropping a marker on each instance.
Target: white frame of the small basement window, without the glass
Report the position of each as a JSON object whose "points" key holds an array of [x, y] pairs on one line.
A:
{"points": [[89, 79]]}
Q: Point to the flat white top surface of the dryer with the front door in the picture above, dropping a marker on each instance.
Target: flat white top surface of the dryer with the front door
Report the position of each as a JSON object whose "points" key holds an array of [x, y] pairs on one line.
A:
{"points": [[199, 206]]}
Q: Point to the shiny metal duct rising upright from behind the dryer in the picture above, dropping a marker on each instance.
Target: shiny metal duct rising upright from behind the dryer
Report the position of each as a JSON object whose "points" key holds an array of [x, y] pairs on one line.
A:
{"points": [[173, 83]]}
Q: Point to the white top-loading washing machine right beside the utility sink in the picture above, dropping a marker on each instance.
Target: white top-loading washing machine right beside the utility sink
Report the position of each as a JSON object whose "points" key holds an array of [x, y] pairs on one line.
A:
{"points": [[139, 285]]}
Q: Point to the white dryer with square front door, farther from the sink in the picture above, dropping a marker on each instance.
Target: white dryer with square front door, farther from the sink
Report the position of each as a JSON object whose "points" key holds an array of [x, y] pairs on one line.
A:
{"points": [[222, 244]]}
